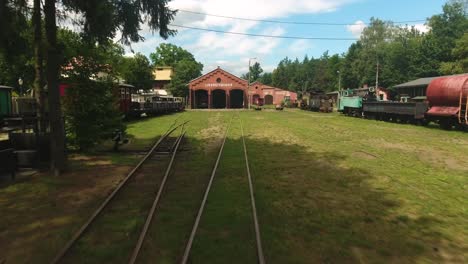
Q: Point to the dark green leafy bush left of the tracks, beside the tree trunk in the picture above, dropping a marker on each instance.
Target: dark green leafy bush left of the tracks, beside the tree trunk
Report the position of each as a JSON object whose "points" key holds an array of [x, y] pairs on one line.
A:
{"points": [[91, 112]]}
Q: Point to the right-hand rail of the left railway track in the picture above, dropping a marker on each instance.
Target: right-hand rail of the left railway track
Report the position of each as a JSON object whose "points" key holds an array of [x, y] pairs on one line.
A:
{"points": [[149, 218]]}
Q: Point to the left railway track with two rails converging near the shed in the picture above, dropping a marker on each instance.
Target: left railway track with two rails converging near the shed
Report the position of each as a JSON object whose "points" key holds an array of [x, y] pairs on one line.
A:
{"points": [[164, 145]]}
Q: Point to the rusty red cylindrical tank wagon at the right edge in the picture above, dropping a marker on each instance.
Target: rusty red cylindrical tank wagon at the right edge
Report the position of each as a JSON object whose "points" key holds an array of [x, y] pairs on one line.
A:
{"points": [[445, 91]]}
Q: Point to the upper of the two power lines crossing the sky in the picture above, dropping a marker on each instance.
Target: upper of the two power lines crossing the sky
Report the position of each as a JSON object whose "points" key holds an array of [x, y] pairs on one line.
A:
{"points": [[292, 22]]}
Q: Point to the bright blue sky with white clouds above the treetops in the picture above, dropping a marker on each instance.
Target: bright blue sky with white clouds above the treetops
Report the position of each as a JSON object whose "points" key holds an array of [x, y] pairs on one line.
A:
{"points": [[232, 52]]}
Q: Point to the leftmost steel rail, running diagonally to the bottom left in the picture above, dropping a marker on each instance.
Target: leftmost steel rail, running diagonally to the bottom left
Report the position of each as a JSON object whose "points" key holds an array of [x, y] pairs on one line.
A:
{"points": [[85, 226]]}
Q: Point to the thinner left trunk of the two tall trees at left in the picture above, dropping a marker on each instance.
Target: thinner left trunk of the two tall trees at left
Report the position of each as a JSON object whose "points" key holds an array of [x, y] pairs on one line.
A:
{"points": [[38, 65]]}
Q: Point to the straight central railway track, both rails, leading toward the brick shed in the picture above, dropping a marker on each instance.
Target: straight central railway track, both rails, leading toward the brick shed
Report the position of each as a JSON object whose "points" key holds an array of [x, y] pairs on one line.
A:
{"points": [[188, 247]]}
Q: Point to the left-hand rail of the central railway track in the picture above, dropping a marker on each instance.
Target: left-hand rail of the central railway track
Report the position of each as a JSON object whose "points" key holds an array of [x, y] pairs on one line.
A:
{"points": [[205, 197]]}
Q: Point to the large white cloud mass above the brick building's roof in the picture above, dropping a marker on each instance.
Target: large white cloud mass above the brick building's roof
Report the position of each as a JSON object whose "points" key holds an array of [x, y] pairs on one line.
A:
{"points": [[230, 51]]}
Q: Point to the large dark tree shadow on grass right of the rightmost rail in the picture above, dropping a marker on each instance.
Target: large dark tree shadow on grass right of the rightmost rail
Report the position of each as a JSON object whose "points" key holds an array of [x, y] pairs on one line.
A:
{"points": [[314, 209]]}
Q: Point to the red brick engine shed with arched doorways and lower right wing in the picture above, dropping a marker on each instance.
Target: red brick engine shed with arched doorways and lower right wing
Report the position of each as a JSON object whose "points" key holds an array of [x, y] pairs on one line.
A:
{"points": [[221, 89]]}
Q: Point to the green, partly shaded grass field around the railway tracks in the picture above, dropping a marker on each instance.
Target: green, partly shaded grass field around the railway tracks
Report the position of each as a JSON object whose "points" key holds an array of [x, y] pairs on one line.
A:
{"points": [[329, 189]]}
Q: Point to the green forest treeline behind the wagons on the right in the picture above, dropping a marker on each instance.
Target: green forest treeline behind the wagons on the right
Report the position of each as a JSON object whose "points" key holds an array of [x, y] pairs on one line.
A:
{"points": [[401, 53]]}
